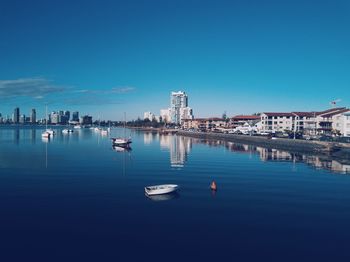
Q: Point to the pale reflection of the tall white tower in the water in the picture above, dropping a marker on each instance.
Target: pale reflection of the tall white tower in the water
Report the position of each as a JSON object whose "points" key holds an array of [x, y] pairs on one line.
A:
{"points": [[179, 147]]}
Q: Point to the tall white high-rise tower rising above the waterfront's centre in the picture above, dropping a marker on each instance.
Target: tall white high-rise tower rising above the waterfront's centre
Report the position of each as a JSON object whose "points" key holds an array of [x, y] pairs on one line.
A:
{"points": [[179, 109]]}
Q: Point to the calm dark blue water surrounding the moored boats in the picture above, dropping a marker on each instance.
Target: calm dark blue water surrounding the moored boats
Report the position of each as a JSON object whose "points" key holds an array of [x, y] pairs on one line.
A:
{"points": [[75, 198]]}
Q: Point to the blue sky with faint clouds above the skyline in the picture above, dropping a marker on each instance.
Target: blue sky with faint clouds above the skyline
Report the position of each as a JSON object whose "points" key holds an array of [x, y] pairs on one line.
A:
{"points": [[107, 57]]}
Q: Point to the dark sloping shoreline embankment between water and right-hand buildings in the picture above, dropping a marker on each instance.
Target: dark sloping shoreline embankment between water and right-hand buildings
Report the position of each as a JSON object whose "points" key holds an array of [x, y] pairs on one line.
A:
{"points": [[334, 150]]}
